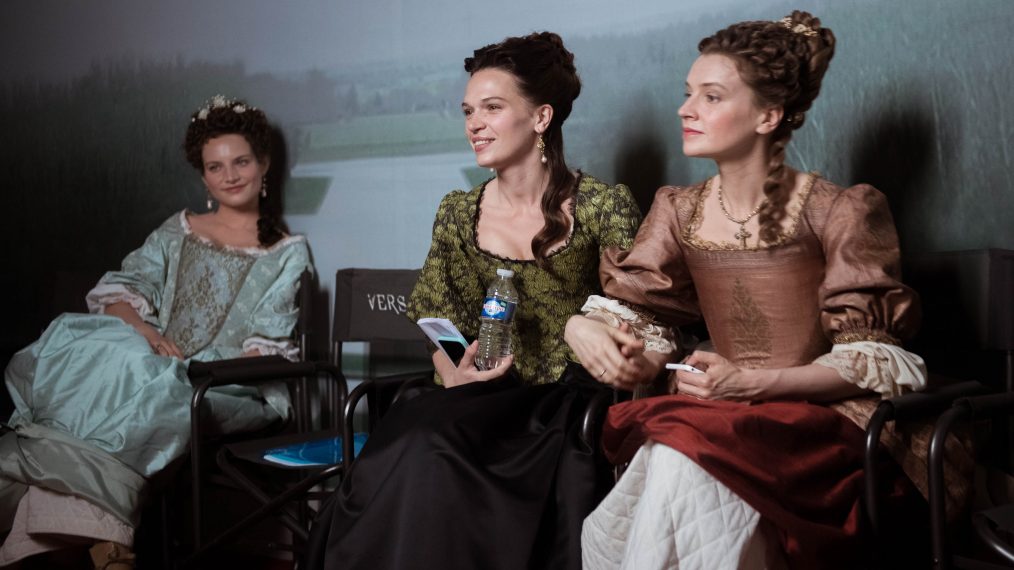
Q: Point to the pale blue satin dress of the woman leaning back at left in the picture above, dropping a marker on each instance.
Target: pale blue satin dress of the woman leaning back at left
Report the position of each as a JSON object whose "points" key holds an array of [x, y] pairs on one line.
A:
{"points": [[98, 413]]}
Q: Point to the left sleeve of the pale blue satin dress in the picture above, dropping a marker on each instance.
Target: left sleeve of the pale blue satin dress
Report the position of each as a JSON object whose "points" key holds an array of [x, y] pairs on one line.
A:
{"points": [[142, 277]]}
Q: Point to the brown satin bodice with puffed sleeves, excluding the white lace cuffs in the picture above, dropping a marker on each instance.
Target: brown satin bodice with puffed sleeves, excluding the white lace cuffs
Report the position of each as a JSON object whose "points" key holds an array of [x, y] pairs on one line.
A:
{"points": [[834, 277]]}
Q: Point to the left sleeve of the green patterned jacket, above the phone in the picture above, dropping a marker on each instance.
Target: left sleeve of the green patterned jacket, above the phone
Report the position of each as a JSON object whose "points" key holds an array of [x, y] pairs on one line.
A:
{"points": [[438, 294]]}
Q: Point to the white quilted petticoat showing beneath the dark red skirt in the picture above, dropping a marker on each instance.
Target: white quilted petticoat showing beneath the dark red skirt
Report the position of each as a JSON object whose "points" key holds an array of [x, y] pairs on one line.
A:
{"points": [[668, 513]]}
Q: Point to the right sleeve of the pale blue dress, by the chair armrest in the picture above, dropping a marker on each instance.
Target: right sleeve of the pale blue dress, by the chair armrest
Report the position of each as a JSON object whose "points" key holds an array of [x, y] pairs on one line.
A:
{"points": [[274, 316]]}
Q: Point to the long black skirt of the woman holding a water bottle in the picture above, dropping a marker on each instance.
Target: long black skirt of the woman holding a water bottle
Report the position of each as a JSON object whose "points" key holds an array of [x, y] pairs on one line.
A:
{"points": [[485, 476]]}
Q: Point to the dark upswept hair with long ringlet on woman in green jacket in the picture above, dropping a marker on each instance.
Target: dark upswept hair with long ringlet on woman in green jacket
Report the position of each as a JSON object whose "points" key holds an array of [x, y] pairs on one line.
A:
{"points": [[546, 76]]}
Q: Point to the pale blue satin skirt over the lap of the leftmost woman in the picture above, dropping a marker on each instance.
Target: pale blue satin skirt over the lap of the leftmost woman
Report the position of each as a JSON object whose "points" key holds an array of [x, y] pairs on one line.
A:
{"points": [[95, 378]]}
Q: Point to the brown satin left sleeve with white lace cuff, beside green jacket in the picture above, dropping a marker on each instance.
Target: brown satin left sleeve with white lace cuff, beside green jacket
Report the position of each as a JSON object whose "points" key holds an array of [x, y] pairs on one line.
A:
{"points": [[649, 286]]}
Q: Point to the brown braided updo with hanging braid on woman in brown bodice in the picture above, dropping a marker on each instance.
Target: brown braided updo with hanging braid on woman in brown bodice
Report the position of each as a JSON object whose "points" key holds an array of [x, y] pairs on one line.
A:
{"points": [[784, 63]]}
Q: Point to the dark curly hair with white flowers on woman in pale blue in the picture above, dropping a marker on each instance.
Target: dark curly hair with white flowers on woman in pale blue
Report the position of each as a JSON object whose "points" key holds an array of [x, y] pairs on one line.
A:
{"points": [[222, 117]]}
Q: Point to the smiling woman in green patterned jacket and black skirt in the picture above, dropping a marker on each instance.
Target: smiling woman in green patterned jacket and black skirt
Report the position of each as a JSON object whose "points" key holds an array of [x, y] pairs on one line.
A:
{"points": [[490, 473]]}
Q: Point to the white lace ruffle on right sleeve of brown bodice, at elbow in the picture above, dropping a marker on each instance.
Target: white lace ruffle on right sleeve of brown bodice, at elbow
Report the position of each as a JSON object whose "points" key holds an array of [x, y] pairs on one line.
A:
{"points": [[886, 369]]}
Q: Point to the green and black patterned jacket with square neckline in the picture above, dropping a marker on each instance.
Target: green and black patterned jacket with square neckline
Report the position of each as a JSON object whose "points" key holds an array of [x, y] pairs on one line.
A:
{"points": [[454, 281]]}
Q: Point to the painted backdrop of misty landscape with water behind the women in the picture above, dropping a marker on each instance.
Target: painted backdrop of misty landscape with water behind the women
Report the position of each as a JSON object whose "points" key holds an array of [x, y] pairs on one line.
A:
{"points": [[95, 99]]}
